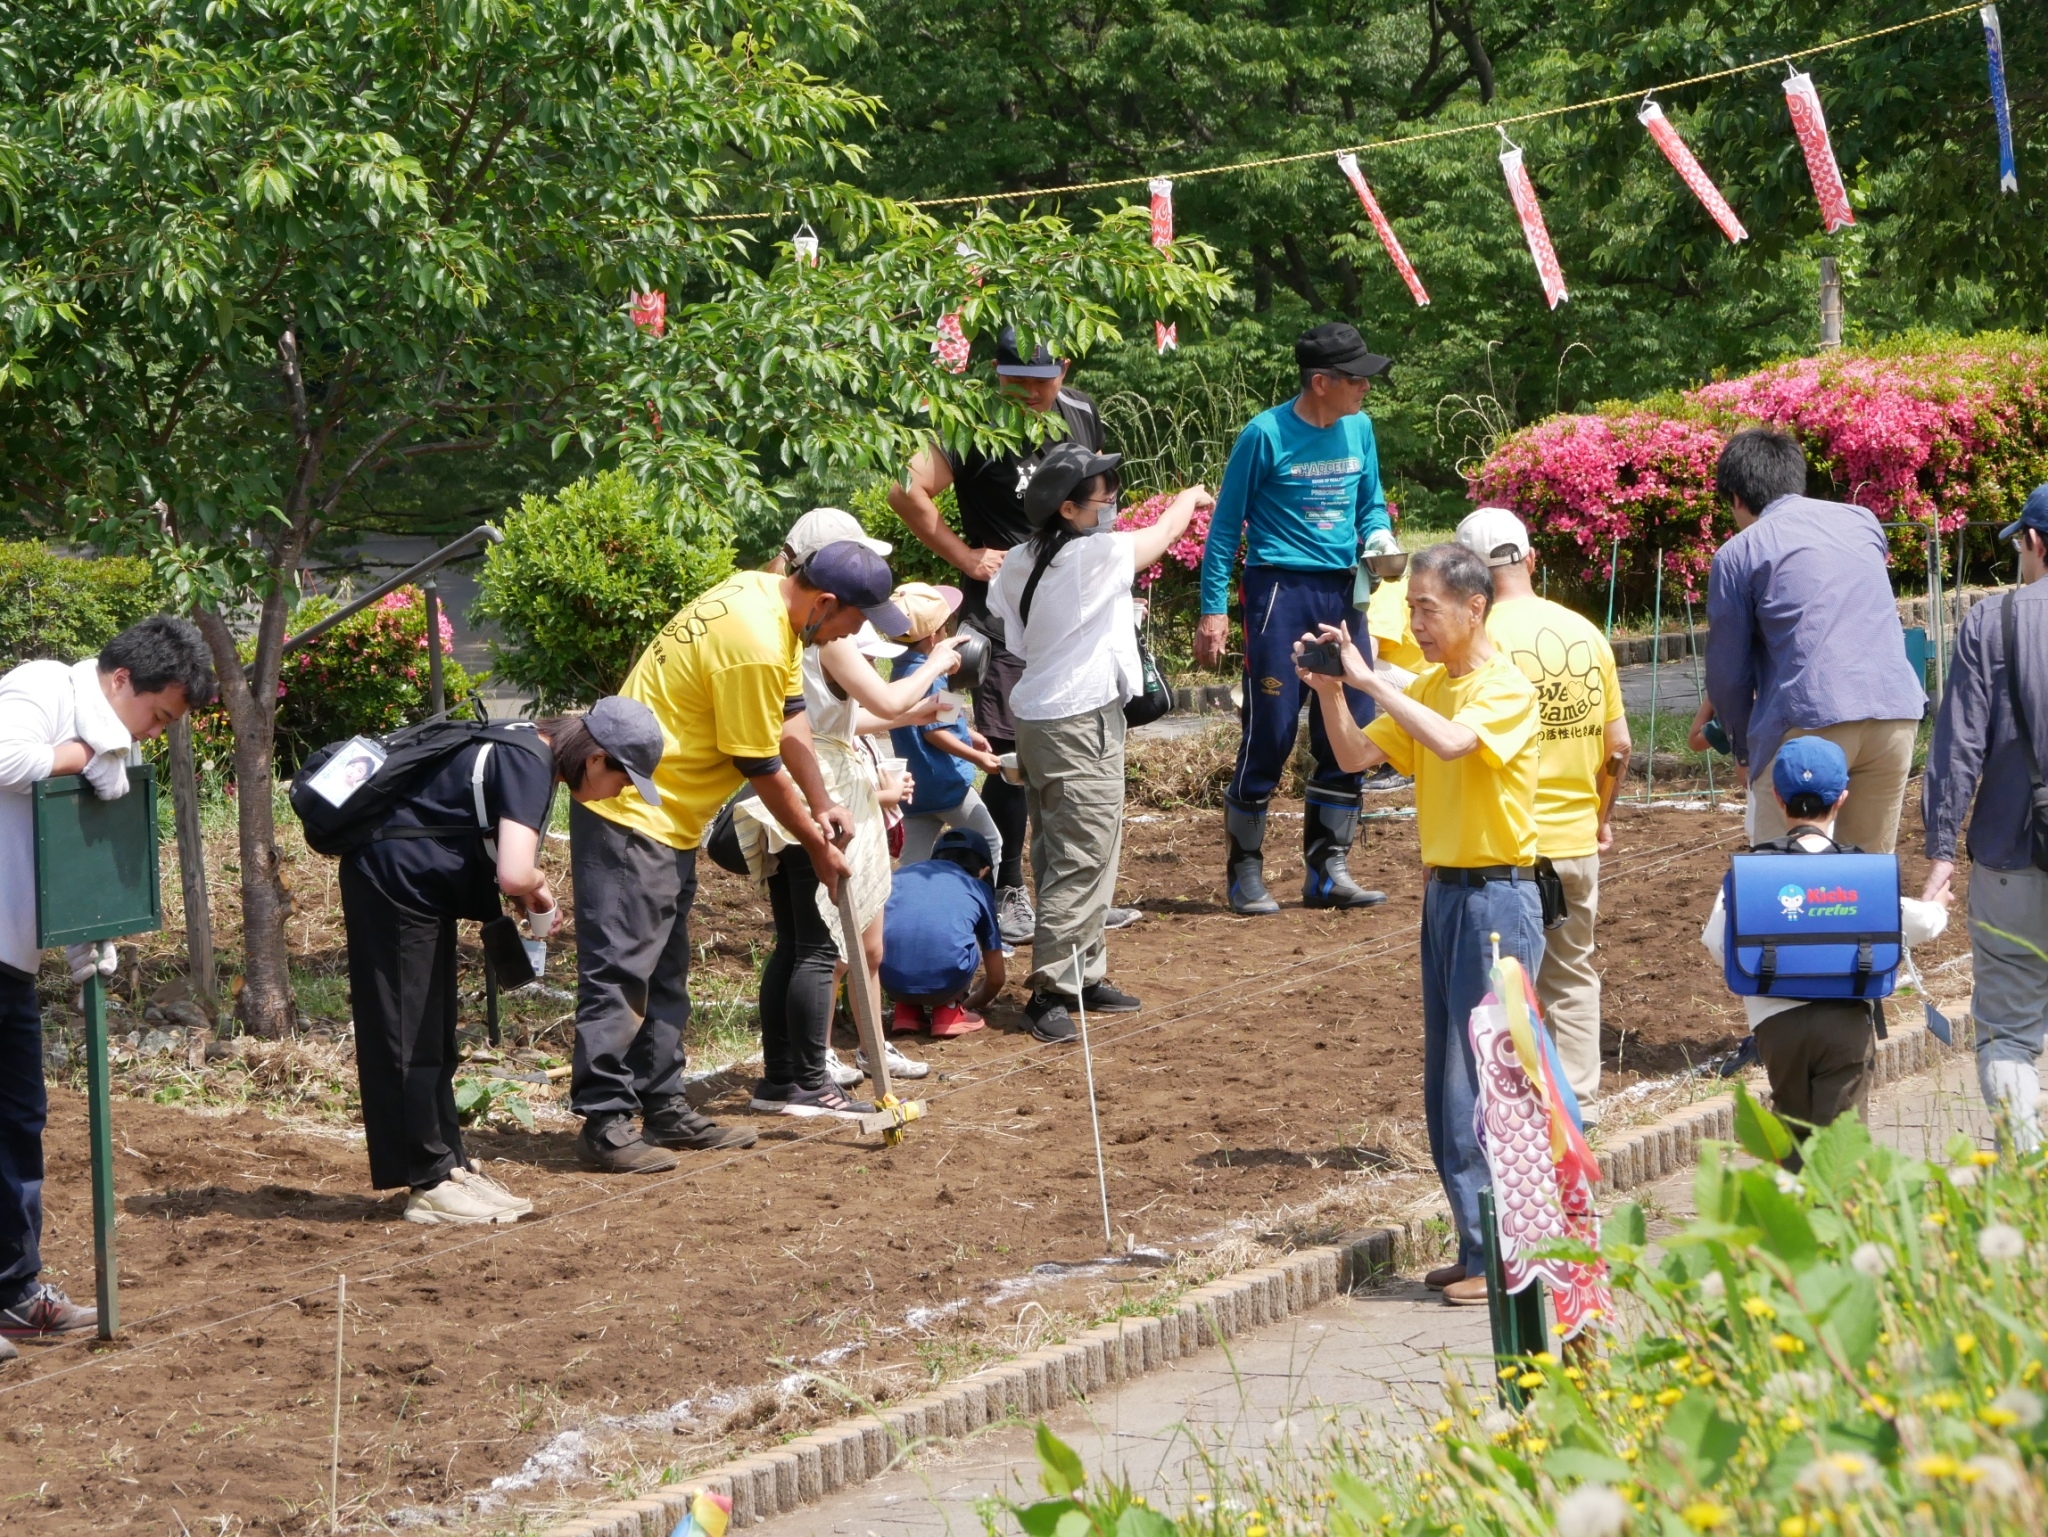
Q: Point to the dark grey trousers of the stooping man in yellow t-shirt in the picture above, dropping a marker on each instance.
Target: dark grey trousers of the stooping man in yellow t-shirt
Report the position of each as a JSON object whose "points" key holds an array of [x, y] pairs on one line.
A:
{"points": [[632, 966]]}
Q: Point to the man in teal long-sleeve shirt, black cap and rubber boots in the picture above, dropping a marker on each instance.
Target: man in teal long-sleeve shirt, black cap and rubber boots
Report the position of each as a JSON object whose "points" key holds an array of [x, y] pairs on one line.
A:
{"points": [[1304, 499]]}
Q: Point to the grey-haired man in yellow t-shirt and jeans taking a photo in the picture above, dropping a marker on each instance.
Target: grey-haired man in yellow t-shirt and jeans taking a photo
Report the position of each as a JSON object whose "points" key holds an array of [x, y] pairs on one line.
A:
{"points": [[1467, 731]]}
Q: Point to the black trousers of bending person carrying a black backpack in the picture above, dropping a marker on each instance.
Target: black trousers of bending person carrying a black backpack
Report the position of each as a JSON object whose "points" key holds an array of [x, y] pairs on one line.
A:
{"points": [[402, 991]]}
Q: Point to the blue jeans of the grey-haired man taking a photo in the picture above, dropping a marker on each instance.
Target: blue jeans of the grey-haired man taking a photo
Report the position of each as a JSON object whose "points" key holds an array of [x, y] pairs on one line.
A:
{"points": [[1457, 956]]}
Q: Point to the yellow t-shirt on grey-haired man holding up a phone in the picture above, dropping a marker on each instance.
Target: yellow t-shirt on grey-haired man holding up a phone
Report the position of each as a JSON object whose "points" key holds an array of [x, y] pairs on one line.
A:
{"points": [[1482, 808]]}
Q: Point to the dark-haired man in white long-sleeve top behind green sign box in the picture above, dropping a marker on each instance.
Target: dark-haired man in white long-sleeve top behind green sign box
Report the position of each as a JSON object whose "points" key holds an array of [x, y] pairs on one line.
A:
{"points": [[60, 718]]}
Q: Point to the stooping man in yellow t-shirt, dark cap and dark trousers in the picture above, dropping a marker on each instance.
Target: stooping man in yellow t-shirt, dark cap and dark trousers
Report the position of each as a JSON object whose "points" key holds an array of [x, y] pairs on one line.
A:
{"points": [[724, 679]]}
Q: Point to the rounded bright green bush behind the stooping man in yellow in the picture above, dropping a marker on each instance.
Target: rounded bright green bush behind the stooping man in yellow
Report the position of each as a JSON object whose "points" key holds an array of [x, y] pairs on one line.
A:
{"points": [[587, 579]]}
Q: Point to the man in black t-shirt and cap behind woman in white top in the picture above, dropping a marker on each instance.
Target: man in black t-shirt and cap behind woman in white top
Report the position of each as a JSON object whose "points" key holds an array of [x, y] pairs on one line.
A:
{"points": [[990, 493]]}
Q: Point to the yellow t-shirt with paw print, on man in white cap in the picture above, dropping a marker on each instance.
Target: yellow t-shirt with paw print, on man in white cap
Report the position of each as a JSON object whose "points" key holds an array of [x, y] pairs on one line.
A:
{"points": [[1578, 694]]}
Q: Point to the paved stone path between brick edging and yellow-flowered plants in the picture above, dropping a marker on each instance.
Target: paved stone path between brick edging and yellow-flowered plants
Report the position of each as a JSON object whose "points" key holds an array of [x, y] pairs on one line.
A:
{"points": [[1379, 1354]]}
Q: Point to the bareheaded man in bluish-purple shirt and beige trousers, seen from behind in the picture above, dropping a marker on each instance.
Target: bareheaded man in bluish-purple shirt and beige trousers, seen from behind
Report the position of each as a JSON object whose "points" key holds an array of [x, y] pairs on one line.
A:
{"points": [[1805, 640]]}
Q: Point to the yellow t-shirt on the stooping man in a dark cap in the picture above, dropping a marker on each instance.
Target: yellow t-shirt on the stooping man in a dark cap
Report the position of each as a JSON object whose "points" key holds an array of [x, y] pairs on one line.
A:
{"points": [[716, 677]]}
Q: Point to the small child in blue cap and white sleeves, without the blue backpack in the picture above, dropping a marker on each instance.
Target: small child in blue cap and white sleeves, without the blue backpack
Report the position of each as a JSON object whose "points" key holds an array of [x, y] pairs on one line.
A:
{"points": [[1822, 1054]]}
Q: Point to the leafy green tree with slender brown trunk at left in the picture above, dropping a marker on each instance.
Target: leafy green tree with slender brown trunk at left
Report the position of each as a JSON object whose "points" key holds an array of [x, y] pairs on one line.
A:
{"points": [[261, 255]]}
